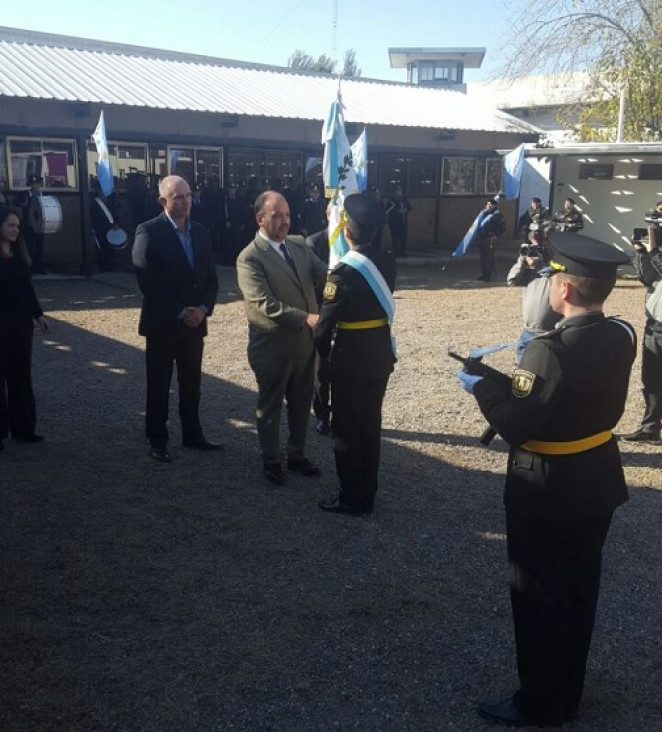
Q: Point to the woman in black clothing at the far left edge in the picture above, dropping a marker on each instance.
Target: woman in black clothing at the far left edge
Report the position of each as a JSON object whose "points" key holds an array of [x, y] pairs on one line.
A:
{"points": [[18, 309]]}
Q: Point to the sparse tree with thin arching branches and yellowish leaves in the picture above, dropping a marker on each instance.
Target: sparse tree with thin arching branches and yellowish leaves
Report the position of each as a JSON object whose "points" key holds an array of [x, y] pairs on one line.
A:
{"points": [[618, 43]]}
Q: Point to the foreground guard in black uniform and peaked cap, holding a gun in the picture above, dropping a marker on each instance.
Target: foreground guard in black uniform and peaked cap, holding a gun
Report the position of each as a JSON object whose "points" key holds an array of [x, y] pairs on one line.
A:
{"points": [[564, 478]]}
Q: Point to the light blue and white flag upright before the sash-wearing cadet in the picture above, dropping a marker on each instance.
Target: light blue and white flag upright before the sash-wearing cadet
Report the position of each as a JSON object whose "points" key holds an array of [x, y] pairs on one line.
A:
{"points": [[339, 178]]}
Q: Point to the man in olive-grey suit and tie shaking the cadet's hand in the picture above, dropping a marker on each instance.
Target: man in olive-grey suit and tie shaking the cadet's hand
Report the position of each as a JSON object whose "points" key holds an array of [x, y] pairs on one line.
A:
{"points": [[277, 275]]}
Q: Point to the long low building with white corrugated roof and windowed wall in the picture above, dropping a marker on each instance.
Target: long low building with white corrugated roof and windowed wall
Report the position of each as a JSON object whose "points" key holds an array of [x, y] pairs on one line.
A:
{"points": [[229, 125]]}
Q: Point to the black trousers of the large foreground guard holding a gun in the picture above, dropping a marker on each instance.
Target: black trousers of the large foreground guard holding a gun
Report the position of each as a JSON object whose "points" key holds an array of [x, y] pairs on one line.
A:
{"points": [[554, 583]]}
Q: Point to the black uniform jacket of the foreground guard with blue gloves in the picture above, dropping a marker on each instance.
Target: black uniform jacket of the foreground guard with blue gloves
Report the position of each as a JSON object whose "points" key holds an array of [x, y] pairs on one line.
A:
{"points": [[571, 384]]}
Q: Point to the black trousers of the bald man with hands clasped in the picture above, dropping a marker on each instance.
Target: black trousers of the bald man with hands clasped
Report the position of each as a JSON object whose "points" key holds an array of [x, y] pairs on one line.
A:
{"points": [[182, 346]]}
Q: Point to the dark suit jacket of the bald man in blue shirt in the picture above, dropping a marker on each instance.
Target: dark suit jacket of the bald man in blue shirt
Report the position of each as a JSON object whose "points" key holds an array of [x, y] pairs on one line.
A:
{"points": [[166, 279]]}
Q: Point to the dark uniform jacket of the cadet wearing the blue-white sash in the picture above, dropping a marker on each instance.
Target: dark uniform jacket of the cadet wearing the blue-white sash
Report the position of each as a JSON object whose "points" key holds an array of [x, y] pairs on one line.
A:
{"points": [[365, 353]]}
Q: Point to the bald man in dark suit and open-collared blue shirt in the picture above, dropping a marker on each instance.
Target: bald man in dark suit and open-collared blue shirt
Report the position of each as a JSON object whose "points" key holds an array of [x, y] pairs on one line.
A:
{"points": [[174, 263]]}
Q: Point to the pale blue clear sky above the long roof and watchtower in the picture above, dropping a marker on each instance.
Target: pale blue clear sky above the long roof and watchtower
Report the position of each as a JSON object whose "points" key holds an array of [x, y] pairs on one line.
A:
{"points": [[269, 31]]}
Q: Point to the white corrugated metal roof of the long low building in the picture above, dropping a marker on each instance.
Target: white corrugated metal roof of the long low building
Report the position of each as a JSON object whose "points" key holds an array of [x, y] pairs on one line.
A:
{"points": [[45, 66]]}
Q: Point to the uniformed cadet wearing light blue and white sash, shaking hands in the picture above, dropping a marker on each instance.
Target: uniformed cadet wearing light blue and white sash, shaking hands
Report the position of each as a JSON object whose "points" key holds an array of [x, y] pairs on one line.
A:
{"points": [[357, 310]]}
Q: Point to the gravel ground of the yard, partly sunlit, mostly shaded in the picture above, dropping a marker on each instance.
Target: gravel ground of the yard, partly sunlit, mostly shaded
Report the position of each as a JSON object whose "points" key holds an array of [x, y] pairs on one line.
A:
{"points": [[195, 596]]}
